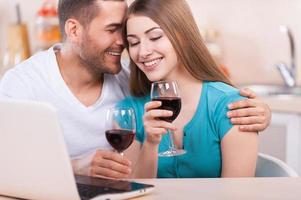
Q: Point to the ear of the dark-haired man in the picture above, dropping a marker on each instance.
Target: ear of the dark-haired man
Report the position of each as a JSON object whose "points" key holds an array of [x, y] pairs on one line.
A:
{"points": [[73, 30]]}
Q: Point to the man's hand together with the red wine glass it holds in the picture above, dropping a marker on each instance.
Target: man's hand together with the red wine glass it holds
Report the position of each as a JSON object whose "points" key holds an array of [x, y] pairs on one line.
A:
{"points": [[120, 133]]}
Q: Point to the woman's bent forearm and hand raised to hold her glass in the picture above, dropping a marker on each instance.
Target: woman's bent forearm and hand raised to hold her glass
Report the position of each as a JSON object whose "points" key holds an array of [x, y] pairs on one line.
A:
{"points": [[144, 157]]}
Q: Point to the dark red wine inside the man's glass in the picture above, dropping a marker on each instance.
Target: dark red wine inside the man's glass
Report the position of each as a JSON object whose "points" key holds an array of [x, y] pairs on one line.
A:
{"points": [[120, 139]]}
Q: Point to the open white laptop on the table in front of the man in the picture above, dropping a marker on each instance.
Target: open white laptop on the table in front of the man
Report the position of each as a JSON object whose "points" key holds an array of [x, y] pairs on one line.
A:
{"points": [[34, 163]]}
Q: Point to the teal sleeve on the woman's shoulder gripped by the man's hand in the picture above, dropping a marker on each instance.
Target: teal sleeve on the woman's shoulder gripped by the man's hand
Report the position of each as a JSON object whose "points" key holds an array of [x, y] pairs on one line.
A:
{"points": [[222, 122]]}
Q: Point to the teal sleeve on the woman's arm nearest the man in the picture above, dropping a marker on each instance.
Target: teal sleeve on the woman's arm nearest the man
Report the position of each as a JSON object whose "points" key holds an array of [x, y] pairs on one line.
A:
{"points": [[138, 107]]}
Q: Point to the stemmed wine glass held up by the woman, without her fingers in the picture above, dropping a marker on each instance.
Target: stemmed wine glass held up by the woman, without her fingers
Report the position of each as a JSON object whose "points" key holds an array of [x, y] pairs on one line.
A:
{"points": [[168, 93]]}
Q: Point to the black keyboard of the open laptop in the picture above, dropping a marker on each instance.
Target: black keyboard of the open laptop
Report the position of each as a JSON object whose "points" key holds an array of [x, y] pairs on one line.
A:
{"points": [[89, 191]]}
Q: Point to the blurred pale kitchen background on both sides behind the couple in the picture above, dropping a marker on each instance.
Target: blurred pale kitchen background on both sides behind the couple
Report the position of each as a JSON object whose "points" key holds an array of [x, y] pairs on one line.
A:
{"points": [[243, 35]]}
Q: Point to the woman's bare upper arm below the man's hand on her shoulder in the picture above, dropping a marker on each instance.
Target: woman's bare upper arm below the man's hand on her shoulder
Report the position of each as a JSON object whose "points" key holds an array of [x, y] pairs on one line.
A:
{"points": [[239, 153]]}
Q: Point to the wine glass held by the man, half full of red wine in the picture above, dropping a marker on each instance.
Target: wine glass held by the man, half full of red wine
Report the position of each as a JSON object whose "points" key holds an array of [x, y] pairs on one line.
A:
{"points": [[120, 128]]}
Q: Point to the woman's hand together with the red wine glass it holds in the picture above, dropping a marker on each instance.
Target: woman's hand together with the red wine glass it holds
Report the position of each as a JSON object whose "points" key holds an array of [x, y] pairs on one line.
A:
{"points": [[161, 112]]}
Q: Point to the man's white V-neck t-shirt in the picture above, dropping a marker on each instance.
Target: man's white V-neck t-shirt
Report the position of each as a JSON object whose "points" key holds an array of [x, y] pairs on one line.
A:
{"points": [[39, 79]]}
